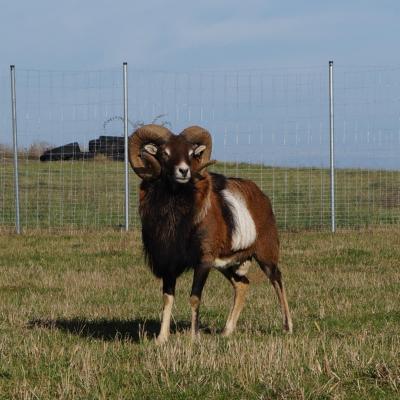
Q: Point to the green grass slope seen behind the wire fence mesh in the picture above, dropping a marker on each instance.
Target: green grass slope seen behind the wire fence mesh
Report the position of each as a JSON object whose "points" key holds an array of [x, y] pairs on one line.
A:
{"points": [[90, 194]]}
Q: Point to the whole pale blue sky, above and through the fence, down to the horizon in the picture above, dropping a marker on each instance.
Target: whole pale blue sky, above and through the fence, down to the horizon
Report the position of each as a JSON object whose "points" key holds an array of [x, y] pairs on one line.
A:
{"points": [[293, 40]]}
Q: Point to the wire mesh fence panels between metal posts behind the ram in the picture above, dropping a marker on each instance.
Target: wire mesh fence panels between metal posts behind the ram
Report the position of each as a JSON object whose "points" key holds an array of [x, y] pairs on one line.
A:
{"points": [[271, 126]]}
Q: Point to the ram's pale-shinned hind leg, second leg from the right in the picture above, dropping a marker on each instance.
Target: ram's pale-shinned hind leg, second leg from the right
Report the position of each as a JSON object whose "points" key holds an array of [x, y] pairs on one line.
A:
{"points": [[240, 286]]}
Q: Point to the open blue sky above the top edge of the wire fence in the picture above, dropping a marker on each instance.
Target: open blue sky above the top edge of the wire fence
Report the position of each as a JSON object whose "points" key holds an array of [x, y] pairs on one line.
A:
{"points": [[186, 35]]}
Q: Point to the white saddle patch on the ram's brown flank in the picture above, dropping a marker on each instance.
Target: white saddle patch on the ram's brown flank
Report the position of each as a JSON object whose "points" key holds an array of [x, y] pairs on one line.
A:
{"points": [[244, 233]]}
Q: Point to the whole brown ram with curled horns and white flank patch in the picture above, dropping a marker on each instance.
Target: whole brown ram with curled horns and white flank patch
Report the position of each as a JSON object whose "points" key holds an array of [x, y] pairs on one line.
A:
{"points": [[195, 219]]}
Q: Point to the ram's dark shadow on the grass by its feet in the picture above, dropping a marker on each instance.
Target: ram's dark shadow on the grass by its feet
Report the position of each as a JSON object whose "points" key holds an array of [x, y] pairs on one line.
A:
{"points": [[133, 330]]}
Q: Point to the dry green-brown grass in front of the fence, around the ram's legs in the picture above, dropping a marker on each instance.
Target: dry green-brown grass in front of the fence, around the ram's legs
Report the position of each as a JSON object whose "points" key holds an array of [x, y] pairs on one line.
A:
{"points": [[78, 313]]}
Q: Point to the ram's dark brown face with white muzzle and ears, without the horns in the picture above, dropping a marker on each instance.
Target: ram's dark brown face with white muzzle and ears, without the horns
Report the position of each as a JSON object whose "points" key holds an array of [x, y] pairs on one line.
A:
{"points": [[178, 158]]}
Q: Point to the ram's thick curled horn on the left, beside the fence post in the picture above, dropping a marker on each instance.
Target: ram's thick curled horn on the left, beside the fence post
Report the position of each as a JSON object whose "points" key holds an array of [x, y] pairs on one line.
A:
{"points": [[144, 164]]}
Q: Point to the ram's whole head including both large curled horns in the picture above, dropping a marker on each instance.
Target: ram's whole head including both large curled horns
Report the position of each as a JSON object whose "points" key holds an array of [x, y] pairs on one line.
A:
{"points": [[156, 152]]}
